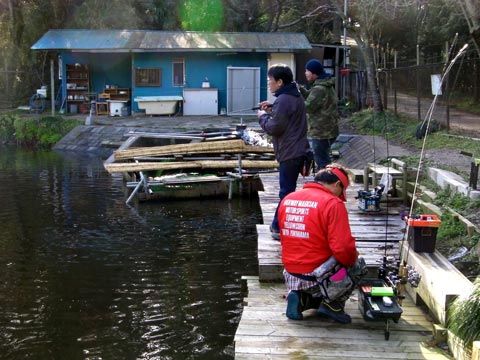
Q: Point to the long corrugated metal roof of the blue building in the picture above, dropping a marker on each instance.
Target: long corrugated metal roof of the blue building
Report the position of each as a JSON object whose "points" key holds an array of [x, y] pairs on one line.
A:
{"points": [[149, 41]]}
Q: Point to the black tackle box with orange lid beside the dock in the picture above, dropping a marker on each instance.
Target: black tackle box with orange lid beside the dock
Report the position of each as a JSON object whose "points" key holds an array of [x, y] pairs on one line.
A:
{"points": [[422, 233]]}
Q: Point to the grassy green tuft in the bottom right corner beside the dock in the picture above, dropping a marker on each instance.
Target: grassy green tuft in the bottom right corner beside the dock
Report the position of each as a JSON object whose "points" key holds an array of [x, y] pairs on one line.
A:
{"points": [[464, 316]]}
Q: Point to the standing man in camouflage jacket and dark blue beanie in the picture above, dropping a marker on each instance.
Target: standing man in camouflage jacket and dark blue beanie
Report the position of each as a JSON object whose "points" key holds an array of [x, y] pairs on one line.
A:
{"points": [[321, 105]]}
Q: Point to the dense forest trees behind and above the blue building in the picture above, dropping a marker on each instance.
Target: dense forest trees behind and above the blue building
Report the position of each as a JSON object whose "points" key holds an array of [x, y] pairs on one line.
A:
{"points": [[388, 33]]}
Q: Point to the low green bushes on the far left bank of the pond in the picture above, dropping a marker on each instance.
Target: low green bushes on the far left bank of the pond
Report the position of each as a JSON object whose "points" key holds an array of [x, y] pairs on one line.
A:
{"points": [[43, 132]]}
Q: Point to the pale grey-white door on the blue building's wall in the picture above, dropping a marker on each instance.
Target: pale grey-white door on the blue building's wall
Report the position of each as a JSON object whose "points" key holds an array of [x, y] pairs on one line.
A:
{"points": [[243, 90]]}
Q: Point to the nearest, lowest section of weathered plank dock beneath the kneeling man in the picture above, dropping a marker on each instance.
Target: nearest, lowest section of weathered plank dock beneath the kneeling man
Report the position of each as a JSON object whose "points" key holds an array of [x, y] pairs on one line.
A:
{"points": [[265, 332]]}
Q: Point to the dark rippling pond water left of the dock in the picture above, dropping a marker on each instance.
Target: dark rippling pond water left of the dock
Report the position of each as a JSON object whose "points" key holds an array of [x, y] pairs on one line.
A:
{"points": [[83, 276]]}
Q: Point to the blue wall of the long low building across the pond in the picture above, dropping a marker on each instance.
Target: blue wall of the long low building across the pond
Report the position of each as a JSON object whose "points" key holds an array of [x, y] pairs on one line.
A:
{"points": [[116, 69]]}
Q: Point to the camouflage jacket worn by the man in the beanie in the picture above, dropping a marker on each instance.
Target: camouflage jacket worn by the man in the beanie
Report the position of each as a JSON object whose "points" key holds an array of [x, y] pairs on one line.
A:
{"points": [[321, 106]]}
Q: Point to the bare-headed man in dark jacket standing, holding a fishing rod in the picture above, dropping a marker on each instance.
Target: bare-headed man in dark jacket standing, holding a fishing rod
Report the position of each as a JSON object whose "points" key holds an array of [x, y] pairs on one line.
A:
{"points": [[286, 122]]}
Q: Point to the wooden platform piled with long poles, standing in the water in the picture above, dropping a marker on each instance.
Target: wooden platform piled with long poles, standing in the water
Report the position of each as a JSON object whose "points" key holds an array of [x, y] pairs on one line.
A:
{"points": [[192, 165]]}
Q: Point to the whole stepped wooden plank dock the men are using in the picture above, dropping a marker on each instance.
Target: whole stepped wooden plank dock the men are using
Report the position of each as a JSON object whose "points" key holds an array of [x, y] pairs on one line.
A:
{"points": [[264, 332]]}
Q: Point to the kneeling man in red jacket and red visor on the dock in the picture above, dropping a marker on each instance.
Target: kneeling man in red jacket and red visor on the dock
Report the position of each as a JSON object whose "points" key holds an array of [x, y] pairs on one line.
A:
{"points": [[315, 232]]}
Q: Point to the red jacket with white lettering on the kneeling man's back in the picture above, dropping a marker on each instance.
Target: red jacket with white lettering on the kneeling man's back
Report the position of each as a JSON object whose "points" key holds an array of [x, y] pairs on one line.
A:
{"points": [[313, 226]]}
